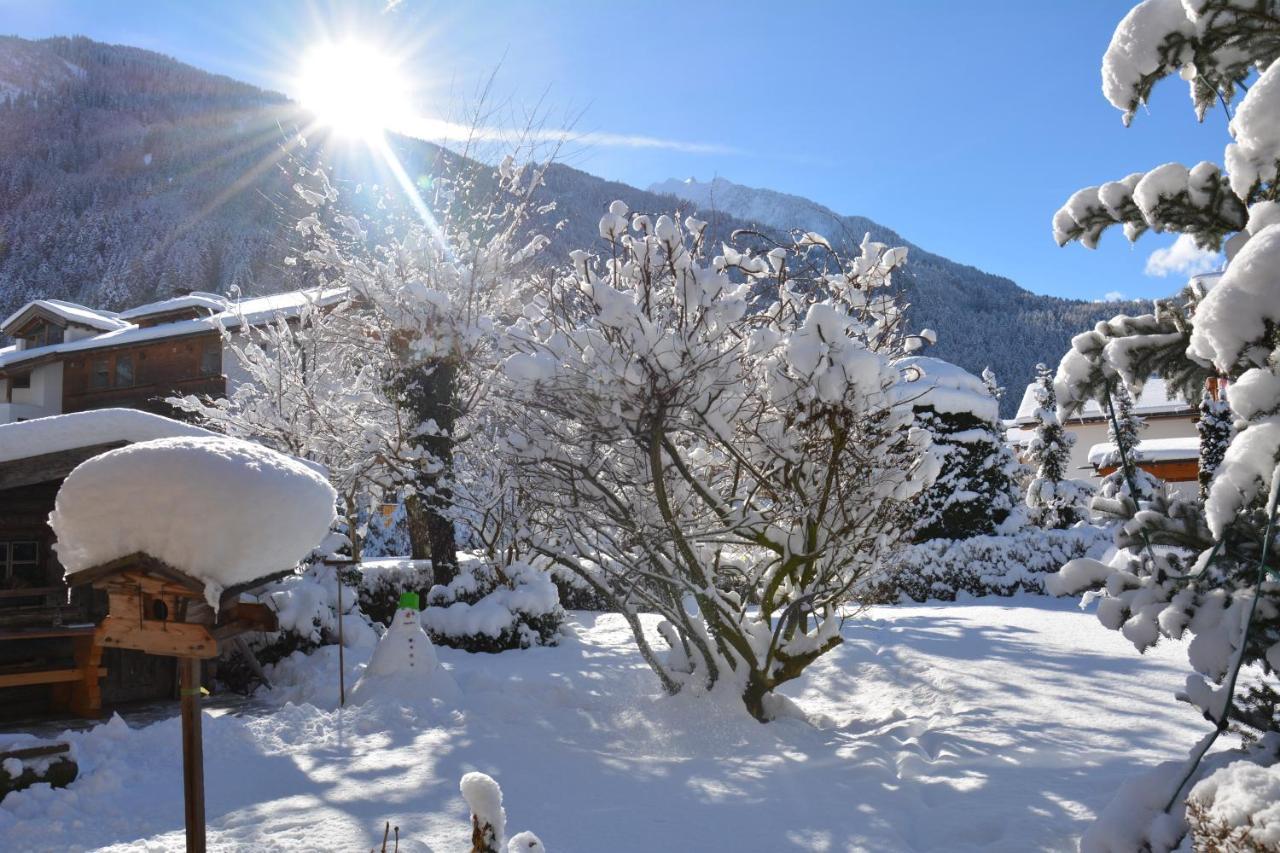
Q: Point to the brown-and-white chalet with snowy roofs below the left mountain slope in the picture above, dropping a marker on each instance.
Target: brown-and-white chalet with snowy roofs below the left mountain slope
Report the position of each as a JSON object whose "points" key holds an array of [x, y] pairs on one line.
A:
{"points": [[67, 358]]}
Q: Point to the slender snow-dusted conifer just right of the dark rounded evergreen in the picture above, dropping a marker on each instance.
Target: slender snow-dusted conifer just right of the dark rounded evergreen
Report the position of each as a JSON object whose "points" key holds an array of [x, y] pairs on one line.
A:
{"points": [[1055, 500]]}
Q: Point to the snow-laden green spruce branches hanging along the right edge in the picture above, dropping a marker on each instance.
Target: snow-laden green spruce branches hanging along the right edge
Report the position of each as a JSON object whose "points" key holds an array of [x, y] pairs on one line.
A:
{"points": [[1213, 583]]}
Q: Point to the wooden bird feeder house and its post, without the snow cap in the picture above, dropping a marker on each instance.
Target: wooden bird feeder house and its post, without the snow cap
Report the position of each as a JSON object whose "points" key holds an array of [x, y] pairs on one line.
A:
{"points": [[157, 609]]}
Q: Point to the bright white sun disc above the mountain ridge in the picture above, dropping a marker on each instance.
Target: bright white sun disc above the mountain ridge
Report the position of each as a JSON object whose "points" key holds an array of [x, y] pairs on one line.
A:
{"points": [[354, 89]]}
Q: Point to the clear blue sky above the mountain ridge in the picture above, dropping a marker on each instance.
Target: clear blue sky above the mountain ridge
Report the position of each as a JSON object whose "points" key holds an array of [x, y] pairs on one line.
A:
{"points": [[964, 126]]}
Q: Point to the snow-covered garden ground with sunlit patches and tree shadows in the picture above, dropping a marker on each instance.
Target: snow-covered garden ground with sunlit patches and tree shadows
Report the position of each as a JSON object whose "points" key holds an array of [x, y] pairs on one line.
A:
{"points": [[981, 726]]}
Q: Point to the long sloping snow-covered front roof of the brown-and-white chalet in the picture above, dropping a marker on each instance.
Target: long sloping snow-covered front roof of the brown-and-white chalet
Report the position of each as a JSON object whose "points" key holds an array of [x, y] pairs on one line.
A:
{"points": [[255, 311]]}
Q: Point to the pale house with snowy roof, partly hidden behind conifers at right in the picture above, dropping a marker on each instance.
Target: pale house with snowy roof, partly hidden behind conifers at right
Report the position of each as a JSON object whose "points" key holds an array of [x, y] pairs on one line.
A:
{"points": [[1169, 449]]}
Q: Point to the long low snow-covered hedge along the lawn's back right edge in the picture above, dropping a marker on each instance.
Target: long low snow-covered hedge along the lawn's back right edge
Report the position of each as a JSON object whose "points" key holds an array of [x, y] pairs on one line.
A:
{"points": [[940, 569]]}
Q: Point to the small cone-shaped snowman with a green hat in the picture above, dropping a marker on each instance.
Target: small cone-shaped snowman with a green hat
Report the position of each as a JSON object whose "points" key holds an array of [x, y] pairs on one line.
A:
{"points": [[405, 664]]}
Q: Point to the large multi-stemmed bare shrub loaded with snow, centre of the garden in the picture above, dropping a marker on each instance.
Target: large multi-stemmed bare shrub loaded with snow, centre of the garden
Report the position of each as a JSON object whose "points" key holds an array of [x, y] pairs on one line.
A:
{"points": [[668, 418]]}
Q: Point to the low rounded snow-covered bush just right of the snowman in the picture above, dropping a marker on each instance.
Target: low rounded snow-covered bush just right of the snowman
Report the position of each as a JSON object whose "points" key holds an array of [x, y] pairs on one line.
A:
{"points": [[492, 610]]}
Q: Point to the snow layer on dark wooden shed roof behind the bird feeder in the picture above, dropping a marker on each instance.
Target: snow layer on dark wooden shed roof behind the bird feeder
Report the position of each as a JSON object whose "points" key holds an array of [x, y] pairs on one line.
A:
{"points": [[85, 430]]}
